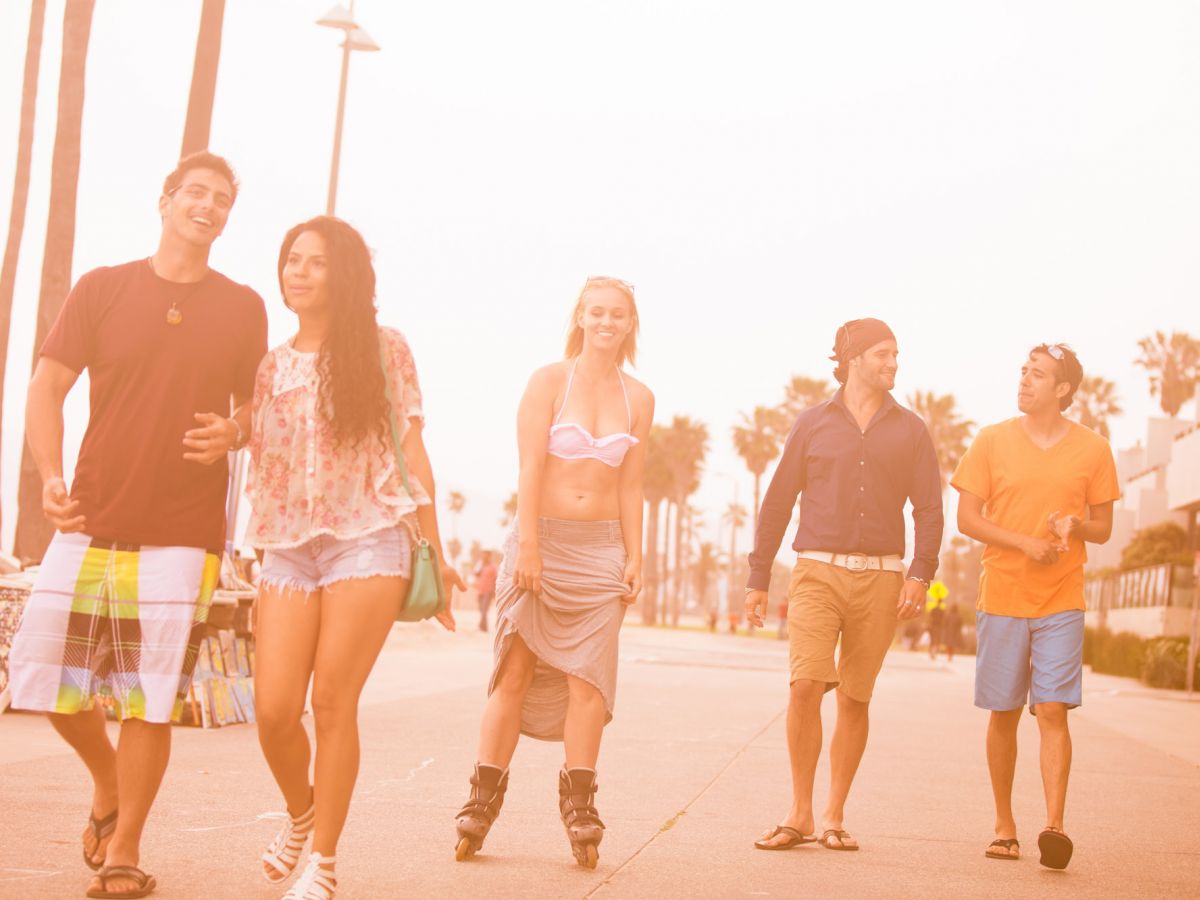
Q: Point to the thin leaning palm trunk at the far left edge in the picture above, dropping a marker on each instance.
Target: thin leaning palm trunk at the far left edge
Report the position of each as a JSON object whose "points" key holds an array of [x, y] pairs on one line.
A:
{"points": [[21, 181]]}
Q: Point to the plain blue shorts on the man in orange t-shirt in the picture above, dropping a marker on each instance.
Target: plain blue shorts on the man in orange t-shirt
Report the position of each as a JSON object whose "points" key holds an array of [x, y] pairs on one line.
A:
{"points": [[1040, 661]]}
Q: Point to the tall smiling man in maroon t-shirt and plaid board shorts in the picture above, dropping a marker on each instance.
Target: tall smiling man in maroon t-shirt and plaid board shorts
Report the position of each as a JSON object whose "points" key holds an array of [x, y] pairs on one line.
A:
{"points": [[121, 603]]}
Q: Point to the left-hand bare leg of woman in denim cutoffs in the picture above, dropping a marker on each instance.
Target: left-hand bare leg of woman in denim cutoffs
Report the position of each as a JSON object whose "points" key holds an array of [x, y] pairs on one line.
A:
{"points": [[286, 645]]}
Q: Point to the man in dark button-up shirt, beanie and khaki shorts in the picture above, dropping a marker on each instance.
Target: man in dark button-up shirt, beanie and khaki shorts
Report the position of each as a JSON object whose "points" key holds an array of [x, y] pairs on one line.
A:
{"points": [[855, 461]]}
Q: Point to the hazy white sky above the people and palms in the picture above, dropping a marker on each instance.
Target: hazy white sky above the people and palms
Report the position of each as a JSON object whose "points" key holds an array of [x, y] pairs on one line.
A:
{"points": [[985, 177]]}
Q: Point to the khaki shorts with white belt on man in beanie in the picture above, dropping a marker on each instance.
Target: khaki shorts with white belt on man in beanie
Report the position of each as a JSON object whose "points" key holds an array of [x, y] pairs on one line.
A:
{"points": [[825, 602]]}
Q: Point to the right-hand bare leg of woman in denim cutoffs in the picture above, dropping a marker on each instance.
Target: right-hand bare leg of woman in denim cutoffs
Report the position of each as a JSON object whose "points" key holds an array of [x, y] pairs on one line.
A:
{"points": [[356, 620]]}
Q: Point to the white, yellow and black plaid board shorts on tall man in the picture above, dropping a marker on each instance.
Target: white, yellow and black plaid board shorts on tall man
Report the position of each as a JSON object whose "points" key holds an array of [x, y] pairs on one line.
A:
{"points": [[115, 620]]}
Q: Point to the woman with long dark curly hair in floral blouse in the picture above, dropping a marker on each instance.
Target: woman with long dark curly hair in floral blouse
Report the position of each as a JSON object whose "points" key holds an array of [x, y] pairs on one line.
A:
{"points": [[334, 519]]}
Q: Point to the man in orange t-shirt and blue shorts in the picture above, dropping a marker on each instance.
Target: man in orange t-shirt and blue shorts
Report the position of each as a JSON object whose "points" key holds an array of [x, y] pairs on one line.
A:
{"points": [[1035, 489]]}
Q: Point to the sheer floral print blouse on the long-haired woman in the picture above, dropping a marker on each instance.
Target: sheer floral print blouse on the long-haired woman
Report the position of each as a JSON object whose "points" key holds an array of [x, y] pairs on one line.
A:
{"points": [[299, 485]]}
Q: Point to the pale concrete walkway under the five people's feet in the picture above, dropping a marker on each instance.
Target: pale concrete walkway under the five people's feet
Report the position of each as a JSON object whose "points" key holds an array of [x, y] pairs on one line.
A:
{"points": [[694, 767]]}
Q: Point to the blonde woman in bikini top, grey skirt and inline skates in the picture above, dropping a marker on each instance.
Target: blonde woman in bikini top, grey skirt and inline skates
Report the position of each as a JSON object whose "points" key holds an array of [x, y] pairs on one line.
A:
{"points": [[572, 567]]}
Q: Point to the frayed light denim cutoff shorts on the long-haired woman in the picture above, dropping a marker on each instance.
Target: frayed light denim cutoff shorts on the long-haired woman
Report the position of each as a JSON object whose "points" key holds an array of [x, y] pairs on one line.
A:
{"points": [[326, 560]]}
